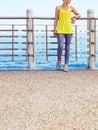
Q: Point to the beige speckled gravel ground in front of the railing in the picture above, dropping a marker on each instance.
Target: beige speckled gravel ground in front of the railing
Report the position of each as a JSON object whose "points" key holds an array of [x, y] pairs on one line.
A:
{"points": [[49, 100]]}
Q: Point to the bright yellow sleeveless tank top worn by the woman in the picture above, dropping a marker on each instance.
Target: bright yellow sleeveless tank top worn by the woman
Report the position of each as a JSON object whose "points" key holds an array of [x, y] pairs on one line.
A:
{"points": [[64, 25]]}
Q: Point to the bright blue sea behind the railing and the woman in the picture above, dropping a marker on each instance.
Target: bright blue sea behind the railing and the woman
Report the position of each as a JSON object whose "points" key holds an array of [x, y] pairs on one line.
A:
{"points": [[78, 52]]}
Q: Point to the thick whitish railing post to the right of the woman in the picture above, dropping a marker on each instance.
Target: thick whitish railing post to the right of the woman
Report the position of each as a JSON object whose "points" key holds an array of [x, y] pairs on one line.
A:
{"points": [[91, 38]]}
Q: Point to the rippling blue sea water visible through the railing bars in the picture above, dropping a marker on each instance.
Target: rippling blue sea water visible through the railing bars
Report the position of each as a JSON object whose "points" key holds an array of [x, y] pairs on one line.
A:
{"points": [[42, 62]]}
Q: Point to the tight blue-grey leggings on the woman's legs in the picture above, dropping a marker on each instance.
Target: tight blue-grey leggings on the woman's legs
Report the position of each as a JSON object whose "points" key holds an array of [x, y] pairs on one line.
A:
{"points": [[61, 38]]}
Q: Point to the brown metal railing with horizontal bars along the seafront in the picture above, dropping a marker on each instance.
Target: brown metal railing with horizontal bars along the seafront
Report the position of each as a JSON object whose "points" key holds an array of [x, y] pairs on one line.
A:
{"points": [[15, 35]]}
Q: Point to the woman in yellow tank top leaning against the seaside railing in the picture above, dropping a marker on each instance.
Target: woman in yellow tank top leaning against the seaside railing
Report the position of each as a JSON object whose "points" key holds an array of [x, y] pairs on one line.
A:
{"points": [[63, 29]]}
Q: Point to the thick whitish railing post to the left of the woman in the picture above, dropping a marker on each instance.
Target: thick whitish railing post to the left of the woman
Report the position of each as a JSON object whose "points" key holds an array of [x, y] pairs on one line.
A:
{"points": [[30, 37]]}
